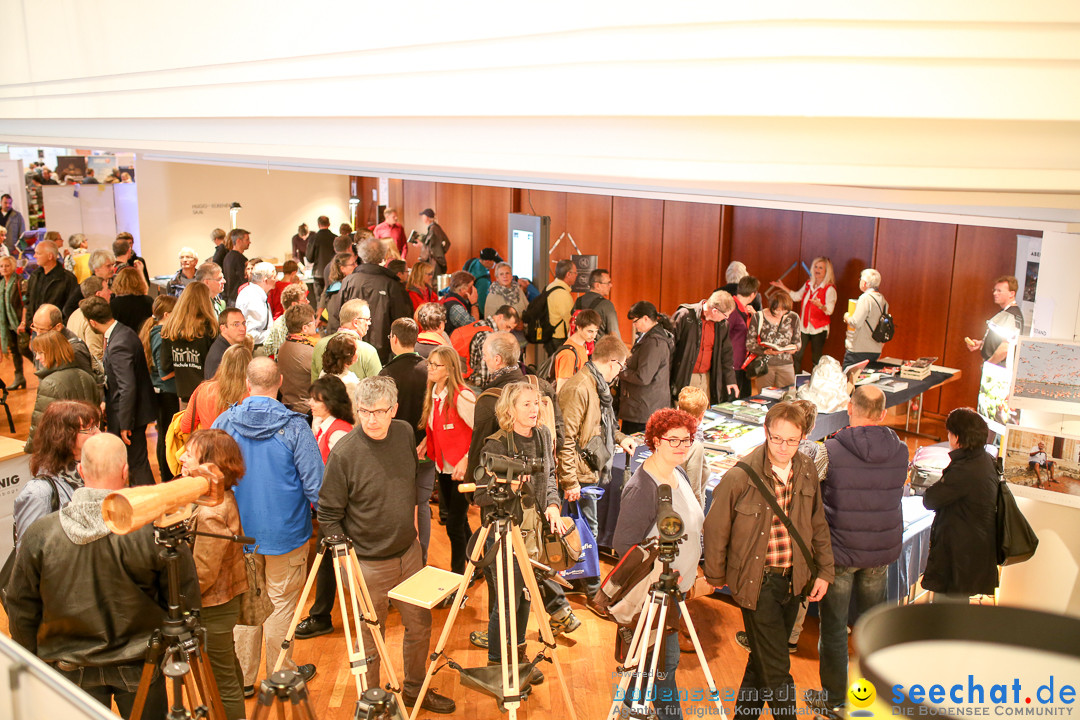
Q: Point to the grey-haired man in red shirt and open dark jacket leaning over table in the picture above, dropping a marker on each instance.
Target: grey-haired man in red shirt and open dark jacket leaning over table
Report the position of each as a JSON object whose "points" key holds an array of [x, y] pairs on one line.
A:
{"points": [[704, 355]]}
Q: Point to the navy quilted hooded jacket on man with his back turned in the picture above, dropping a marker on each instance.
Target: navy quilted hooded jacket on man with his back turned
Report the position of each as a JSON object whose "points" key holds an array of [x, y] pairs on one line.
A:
{"points": [[868, 468]]}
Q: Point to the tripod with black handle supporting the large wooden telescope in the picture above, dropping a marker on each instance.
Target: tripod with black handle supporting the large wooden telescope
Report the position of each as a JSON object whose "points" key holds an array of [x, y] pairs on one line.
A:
{"points": [[181, 640]]}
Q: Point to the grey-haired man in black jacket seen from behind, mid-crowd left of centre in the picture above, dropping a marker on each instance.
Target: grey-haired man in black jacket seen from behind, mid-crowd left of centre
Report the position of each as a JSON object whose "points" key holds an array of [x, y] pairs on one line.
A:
{"points": [[386, 295]]}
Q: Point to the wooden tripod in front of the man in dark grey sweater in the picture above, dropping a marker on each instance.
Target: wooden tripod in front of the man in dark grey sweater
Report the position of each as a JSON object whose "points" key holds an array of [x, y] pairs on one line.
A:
{"points": [[347, 572]]}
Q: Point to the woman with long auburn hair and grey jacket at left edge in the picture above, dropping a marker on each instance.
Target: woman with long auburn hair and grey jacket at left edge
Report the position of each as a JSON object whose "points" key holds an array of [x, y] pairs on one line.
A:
{"points": [[63, 430]]}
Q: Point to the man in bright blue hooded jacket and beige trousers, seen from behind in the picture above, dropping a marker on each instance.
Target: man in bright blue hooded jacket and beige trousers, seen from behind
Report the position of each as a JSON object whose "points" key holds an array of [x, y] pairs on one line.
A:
{"points": [[285, 473]]}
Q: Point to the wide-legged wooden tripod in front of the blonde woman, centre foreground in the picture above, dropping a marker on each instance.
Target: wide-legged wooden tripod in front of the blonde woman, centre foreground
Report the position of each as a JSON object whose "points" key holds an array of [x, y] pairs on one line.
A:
{"points": [[510, 551]]}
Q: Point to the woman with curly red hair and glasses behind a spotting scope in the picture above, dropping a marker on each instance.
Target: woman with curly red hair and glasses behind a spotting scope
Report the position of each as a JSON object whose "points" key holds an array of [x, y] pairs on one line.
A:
{"points": [[669, 433]]}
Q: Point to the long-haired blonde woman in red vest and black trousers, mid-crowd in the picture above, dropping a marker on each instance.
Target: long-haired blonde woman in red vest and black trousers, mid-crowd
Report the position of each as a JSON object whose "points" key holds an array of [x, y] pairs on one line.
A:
{"points": [[449, 418]]}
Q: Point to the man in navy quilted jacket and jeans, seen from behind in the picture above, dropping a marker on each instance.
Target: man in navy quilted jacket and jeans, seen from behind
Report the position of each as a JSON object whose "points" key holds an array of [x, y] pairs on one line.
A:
{"points": [[861, 492]]}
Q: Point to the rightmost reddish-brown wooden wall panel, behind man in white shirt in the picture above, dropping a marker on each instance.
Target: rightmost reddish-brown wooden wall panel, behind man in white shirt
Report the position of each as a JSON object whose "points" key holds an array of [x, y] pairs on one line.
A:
{"points": [[982, 254]]}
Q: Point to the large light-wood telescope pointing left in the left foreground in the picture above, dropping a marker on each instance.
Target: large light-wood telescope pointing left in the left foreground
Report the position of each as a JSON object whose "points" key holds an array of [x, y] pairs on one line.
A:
{"points": [[164, 505]]}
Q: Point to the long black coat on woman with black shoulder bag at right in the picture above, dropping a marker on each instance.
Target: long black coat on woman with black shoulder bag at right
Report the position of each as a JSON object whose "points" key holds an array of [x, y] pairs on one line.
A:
{"points": [[964, 537]]}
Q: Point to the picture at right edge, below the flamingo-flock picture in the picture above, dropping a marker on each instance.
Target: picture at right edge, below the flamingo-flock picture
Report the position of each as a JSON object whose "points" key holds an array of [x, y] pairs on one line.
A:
{"points": [[1045, 461]]}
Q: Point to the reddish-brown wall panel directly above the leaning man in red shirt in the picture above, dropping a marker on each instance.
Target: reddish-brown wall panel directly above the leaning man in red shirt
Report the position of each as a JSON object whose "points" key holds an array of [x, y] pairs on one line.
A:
{"points": [[691, 251]]}
